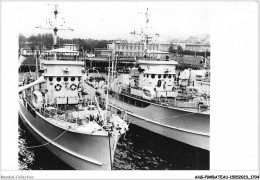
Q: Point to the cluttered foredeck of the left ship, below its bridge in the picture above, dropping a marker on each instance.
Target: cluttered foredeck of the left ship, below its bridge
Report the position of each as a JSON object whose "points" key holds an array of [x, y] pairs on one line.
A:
{"points": [[80, 120]]}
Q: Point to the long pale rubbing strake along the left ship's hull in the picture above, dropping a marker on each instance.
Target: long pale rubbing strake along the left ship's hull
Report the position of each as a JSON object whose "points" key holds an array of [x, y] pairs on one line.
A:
{"points": [[59, 146]]}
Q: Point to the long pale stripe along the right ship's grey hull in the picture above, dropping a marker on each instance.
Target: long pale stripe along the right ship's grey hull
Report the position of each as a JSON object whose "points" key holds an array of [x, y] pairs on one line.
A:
{"points": [[179, 129]]}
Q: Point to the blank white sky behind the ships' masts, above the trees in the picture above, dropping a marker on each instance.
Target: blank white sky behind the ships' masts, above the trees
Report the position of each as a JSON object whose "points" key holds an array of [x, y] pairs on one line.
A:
{"points": [[115, 20]]}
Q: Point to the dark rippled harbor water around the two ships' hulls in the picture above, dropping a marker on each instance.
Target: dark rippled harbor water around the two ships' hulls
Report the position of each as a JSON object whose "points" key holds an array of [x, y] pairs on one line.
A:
{"points": [[139, 149]]}
